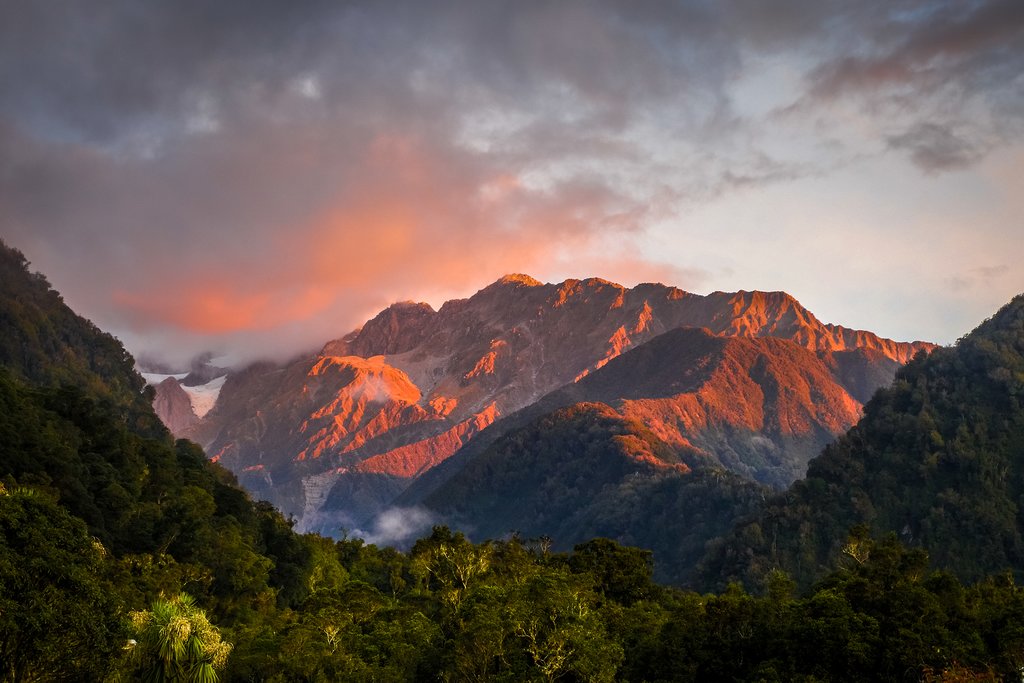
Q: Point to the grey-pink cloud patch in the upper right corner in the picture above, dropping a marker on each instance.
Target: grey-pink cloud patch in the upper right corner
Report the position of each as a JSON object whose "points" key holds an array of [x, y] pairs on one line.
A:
{"points": [[949, 74]]}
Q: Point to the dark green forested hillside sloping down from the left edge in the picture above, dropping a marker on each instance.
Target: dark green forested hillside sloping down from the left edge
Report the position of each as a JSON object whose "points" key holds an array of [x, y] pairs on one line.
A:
{"points": [[104, 510]]}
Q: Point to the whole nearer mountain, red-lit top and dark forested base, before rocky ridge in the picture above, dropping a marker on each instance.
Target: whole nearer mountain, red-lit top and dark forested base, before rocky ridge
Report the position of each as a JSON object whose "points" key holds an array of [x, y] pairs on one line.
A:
{"points": [[642, 450]]}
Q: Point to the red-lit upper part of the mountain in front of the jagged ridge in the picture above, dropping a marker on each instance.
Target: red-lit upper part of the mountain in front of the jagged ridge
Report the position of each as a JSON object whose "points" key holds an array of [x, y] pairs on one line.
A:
{"points": [[761, 408]]}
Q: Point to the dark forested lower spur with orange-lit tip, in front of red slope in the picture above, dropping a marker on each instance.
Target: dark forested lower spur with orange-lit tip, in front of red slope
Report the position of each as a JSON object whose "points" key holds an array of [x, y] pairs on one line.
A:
{"points": [[586, 472]]}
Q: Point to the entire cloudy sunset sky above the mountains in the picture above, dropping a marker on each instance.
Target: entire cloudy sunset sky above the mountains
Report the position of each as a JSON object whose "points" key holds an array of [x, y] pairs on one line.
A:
{"points": [[255, 178]]}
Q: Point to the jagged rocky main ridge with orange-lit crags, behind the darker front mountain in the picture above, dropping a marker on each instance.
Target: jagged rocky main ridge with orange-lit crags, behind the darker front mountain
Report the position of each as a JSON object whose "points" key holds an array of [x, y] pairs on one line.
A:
{"points": [[405, 393]]}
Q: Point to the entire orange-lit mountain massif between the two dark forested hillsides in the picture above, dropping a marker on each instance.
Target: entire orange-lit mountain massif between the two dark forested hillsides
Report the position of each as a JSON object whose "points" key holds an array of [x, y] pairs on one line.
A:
{"points": [[451, 412]]}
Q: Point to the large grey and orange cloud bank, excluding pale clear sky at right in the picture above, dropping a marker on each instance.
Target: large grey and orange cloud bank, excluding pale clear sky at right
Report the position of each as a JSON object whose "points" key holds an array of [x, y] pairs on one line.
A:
{"points": [[243, 168]]}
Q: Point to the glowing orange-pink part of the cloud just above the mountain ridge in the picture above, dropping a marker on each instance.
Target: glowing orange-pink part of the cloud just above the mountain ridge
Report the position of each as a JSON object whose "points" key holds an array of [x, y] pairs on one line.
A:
{"points": [[407, 219]]}
